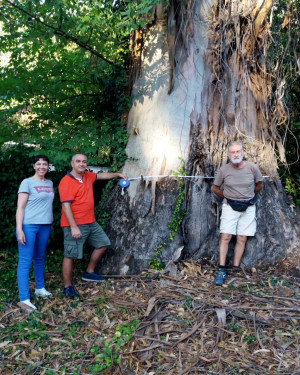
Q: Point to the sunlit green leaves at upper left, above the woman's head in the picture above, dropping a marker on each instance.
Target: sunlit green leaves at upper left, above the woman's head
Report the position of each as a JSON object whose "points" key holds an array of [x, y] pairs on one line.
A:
{"points": [[63, 81]]}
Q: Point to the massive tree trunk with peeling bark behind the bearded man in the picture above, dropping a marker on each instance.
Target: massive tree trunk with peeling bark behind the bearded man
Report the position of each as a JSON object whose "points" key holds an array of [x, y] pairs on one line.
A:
{"points": [[200, 82]]}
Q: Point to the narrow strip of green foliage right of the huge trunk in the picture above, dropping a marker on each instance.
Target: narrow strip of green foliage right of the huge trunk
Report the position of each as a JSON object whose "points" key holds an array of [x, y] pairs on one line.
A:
{"points": [[285, 43]]}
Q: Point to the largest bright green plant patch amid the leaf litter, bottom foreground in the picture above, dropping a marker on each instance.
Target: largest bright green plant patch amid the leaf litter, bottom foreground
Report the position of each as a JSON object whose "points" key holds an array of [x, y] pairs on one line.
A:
{"points": [[112, 348]]}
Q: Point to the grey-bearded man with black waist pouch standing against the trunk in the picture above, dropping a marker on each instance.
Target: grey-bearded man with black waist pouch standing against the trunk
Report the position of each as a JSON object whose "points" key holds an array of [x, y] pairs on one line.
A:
{"points": [[241, 181]]}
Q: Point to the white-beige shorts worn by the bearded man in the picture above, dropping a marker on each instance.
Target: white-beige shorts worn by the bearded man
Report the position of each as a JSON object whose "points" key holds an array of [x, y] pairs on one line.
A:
{"points": [[234, 222]]}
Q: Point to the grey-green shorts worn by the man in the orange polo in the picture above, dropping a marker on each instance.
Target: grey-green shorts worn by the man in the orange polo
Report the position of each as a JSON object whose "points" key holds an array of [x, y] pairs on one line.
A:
{"points": [[92, 234]]}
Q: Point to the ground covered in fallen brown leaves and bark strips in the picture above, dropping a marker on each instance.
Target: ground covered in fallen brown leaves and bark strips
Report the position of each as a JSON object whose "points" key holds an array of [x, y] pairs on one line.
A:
{"points": [[186, 326]]}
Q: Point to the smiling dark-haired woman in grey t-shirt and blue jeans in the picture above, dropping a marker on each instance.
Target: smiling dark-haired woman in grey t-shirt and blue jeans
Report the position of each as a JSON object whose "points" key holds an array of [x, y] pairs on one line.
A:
{"points": [[34, 218]]}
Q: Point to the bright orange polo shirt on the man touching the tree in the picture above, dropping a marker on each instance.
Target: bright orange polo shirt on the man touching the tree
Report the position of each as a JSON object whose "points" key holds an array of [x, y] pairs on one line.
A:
{"points": [[81, 197]]}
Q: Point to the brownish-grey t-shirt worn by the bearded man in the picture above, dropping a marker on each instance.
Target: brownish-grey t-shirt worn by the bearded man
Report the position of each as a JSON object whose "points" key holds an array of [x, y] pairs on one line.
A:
{"points": [[238, 184]]}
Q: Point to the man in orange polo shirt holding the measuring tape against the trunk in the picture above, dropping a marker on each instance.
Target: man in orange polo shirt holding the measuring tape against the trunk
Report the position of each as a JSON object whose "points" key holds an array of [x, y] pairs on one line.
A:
{"points": [[78, 220]]}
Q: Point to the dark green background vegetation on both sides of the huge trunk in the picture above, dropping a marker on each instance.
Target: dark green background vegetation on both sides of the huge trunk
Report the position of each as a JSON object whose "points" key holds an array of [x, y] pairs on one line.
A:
{"points": [[65, 90]]}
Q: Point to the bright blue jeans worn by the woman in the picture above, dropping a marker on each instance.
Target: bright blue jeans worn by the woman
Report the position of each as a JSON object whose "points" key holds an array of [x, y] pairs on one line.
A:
{"points": [[36, 236]]}
